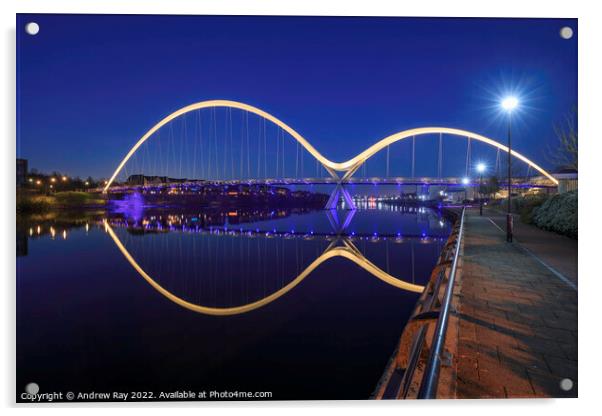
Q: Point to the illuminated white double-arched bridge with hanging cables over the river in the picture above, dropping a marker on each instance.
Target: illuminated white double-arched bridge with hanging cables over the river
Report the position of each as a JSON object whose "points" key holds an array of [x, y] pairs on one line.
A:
{"points": [[339, 173]]}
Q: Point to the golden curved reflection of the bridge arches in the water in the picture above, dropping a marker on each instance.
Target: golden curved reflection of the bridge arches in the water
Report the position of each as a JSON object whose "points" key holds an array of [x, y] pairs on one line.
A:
{"points": [[348, 251]]}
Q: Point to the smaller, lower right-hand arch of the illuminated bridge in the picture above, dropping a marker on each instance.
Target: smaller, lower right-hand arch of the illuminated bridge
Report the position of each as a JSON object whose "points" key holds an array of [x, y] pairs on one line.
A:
{"points": [[352, 165]]}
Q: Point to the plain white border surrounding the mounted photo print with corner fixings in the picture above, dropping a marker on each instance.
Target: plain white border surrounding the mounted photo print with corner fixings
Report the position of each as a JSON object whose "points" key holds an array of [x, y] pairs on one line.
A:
{"points": [[590, 68]]}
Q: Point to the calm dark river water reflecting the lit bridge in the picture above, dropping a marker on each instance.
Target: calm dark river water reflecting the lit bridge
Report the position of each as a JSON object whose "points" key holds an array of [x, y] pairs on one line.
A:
{"points": [[162, 300]]}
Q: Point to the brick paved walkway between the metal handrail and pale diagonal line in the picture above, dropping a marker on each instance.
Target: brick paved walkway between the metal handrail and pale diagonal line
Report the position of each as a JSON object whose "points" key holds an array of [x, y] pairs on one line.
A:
{"points": [[517, 322]]}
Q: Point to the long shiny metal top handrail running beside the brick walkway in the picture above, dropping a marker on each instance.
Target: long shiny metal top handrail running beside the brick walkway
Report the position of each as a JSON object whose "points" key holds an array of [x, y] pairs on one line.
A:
{"points": [[428, 387]]}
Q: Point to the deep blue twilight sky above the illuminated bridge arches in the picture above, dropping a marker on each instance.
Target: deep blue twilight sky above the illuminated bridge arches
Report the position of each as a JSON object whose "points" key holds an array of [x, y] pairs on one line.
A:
{"points": [[90, 85]]}
